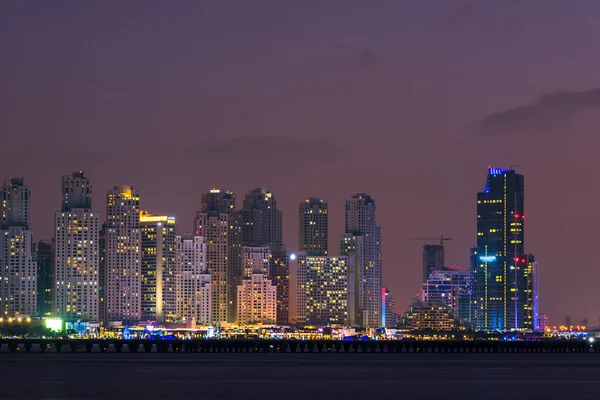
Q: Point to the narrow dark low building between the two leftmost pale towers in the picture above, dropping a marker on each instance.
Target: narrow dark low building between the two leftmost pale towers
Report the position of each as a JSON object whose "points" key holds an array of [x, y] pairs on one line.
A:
{"points": [[46, 280]]}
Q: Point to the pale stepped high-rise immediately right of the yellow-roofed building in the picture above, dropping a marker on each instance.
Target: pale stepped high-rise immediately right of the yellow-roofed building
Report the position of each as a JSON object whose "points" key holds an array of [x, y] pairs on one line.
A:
{"points": [[192, 280]]}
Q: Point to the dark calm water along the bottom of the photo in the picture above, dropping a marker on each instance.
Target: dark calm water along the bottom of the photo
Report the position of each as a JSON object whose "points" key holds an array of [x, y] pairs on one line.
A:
{"points": [[299, 376]]}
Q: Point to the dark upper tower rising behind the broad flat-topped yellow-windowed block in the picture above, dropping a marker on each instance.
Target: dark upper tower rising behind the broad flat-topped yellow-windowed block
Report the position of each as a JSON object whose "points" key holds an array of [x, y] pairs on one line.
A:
{"points": [[313, 227]]}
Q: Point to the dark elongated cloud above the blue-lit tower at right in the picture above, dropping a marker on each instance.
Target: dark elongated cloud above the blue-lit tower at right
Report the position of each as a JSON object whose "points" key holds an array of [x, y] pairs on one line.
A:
{"points": [[549, 112]]}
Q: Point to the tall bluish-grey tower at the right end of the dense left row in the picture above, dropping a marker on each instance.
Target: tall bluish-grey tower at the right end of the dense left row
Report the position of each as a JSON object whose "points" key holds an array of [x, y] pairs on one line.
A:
{"points": [[362, 243]]}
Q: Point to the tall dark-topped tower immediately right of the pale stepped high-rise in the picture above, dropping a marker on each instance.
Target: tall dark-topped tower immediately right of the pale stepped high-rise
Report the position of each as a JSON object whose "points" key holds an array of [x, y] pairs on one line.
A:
{"points": [[213, 223]]}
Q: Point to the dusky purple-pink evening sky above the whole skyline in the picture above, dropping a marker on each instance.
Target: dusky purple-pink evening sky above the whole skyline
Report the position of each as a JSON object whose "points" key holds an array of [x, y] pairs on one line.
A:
{"points": [[409, 101]]}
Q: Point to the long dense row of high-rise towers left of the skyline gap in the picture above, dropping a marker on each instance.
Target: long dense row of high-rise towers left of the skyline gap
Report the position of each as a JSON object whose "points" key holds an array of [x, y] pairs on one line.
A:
{"points": [[232, 267]]}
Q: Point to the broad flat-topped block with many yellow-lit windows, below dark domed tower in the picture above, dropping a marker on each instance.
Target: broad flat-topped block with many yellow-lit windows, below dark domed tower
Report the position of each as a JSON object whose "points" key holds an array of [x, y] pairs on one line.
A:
{"points": [[327, 290]]}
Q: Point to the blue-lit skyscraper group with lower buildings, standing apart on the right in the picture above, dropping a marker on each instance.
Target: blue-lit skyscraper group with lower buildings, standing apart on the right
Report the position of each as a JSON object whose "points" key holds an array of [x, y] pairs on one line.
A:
{"points": [[500, 290]]}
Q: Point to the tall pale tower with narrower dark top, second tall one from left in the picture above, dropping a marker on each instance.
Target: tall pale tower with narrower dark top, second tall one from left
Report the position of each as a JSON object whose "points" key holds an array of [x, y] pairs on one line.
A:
{"points": [[77, 258]]}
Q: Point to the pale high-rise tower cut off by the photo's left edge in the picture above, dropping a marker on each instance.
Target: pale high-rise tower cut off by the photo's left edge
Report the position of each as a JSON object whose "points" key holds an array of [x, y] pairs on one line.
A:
{"points": [[18, 270]]}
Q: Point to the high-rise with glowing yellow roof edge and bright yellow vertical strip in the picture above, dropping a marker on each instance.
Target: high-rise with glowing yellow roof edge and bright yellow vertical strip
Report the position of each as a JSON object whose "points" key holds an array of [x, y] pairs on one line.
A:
{"points": [[158, 290]]}
